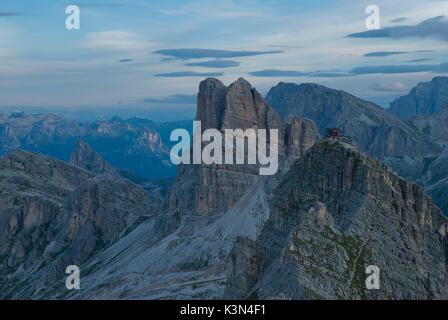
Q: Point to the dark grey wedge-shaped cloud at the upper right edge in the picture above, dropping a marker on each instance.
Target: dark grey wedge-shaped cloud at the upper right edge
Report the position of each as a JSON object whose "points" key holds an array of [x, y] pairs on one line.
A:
{"points": [[432, 28]]}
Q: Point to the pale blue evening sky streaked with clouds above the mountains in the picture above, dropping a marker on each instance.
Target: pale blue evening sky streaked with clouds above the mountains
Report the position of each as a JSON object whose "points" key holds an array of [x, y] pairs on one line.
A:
{"points": [[151, 55]]}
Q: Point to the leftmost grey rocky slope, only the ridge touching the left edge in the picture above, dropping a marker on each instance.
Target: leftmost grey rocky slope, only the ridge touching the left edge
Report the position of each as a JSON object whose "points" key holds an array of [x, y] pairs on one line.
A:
{"points": [[33, 191]]}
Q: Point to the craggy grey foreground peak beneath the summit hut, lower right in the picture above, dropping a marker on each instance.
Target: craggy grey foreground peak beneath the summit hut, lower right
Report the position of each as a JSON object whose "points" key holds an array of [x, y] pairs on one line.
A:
{"points": [[335, 213]]}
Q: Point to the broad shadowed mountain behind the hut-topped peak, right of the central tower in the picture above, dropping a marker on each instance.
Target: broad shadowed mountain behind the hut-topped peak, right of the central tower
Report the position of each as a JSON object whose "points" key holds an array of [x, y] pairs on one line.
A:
{"points": [[372, 128]]}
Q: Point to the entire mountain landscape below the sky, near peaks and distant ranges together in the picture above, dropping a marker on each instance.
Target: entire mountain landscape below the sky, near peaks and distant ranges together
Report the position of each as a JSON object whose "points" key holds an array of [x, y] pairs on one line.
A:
{"points": [[222, 231]]}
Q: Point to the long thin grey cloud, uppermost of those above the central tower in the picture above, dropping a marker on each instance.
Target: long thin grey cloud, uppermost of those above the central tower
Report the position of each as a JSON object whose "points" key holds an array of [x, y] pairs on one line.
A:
{"points": [[195, 53]]}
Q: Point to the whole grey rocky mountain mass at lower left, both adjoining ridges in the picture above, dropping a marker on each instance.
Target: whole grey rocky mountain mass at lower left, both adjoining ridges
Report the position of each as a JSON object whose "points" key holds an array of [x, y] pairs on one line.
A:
{"points": [[54, 214]]}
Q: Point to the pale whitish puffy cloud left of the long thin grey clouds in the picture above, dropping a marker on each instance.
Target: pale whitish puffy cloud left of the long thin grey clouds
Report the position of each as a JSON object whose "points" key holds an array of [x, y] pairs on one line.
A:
{"points": [[115, 40]]}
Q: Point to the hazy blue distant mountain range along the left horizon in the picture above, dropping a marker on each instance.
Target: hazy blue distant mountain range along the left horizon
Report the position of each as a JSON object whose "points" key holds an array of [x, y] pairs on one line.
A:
{"points": [[139, 145]]}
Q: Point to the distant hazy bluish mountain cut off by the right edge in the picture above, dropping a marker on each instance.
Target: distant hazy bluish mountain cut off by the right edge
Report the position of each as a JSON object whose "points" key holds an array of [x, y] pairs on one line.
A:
{"points": [[426, 98]]}
